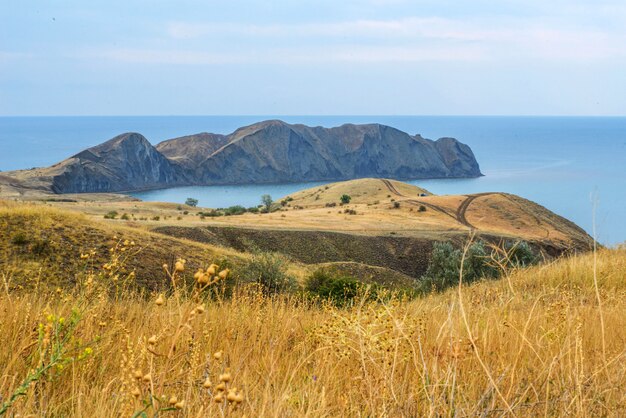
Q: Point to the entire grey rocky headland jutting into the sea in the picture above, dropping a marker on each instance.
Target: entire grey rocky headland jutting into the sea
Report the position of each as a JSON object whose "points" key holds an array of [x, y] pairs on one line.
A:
{"points": [[266, 152]]}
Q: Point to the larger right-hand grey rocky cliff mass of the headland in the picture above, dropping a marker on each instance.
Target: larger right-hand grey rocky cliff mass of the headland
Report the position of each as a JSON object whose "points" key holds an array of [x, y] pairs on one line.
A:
{"points": [[274, 151]]}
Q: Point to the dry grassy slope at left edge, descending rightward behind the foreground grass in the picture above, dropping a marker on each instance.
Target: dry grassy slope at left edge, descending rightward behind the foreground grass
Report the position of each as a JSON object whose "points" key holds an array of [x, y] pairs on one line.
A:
{"points": [[40, 243]]}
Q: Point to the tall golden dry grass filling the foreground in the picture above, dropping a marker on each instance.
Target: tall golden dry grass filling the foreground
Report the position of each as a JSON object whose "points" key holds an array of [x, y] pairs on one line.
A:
{"points": [[541, 342]]}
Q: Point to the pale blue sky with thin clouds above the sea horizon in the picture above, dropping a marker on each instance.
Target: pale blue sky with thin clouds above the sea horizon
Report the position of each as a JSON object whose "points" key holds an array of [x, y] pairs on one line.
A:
{"points": [[322, 57]]}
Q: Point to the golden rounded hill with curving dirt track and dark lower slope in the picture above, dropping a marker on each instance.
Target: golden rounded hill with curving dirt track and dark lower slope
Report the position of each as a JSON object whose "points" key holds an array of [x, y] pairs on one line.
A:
{"points": [[386, 223]]}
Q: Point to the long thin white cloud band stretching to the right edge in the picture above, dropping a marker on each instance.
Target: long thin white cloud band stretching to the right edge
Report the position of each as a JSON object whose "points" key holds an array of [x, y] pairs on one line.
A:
{"points": [[525, 38]]}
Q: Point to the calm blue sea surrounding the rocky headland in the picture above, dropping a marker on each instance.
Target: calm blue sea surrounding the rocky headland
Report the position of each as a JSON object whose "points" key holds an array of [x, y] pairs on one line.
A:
{"points": [[568, 164]]}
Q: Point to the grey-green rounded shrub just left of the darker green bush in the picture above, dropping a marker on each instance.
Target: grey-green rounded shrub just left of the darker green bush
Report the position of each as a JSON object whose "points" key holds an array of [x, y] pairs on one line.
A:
{"points": [[269, 270]]}
